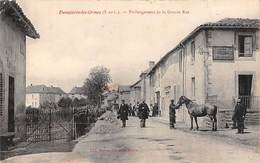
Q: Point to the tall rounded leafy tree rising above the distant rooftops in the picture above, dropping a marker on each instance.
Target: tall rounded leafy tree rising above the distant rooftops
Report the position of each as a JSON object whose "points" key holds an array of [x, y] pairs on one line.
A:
{"points": [[96, 83]]}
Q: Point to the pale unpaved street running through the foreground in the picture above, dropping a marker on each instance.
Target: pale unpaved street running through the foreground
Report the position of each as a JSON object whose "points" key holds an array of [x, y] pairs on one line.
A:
{"points": [[155, 143]]}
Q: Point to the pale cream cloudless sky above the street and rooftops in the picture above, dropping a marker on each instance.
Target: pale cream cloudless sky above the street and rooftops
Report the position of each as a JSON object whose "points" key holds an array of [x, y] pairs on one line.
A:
{"points": [[113, 33]]}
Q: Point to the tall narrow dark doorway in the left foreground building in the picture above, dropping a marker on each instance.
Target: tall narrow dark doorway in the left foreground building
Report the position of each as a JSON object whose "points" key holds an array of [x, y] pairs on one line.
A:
{"points": [[11, 127]]}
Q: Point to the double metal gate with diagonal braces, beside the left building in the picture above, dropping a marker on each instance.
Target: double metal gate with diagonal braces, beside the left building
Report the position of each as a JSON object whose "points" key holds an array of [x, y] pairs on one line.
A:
{"points": [[49, 124]]}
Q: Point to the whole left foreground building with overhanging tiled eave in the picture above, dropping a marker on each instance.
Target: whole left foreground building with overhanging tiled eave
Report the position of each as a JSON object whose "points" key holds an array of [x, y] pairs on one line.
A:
{"points": [[14, 27]]}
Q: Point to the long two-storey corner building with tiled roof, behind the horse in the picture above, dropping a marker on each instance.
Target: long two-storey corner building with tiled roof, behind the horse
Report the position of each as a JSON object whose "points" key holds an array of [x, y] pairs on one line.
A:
{"points": [[217, 62]]}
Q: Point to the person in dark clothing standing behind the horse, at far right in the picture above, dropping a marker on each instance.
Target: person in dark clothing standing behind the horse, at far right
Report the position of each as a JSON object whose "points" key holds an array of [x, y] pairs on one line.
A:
{"points": [[239, 116]]}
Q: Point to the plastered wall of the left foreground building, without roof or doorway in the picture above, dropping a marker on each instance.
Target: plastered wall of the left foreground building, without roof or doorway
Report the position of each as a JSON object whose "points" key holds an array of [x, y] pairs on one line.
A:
{"points": [[13, 64]]}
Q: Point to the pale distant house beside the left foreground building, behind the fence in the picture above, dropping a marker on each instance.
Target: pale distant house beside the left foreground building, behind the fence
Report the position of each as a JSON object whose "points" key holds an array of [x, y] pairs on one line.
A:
{"points": [[37, 95]]}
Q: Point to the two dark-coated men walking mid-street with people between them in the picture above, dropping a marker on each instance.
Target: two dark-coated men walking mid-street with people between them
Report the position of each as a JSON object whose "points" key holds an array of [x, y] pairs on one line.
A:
{"points": [[141, 110]]}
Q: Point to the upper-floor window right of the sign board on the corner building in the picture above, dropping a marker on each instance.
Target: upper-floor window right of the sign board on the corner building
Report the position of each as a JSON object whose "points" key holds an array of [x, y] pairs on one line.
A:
{"points": [[245, 45]]}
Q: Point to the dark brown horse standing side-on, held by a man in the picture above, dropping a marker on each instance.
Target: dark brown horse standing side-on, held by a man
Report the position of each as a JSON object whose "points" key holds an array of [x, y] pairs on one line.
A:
{"points": [[195, 110]]}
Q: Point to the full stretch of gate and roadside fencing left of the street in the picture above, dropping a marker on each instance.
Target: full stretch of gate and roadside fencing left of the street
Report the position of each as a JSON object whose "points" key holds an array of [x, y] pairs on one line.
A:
{"points": [[59, 124]]}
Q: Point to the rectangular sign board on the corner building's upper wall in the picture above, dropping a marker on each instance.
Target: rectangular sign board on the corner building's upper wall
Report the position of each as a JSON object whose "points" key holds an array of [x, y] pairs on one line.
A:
{"points": [[223, 53]]}
